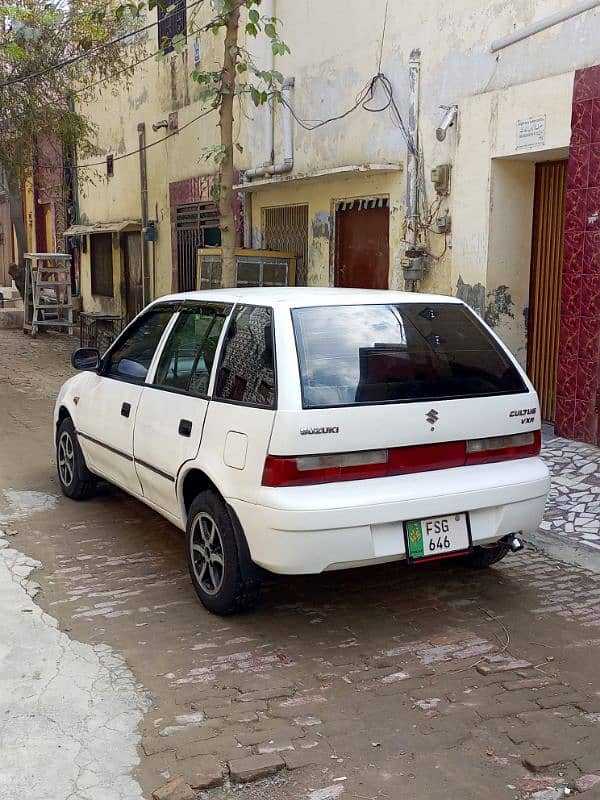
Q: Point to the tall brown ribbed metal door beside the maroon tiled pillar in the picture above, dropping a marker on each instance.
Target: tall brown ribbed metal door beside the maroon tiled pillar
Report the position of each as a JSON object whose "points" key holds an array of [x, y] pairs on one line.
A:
{"points": [[545, 283]]}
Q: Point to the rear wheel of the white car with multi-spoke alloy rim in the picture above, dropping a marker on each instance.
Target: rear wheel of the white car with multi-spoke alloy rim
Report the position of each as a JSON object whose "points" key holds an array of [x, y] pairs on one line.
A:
{"points": [[213, 556]]}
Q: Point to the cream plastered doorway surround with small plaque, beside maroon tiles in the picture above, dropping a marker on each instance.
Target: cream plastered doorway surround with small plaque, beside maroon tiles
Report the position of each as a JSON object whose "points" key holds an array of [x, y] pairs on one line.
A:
{"points": [[492, 199]]}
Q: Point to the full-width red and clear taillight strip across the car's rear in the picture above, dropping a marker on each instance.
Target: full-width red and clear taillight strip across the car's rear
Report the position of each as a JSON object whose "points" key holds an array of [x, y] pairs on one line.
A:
{"points": [[330, 468]]}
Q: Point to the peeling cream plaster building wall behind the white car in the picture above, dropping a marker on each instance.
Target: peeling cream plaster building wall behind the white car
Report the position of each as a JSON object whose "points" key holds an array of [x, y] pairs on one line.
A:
{"points": [[335, 48]]}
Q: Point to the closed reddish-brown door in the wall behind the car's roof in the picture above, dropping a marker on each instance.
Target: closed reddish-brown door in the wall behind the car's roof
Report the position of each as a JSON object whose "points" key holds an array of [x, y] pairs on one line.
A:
{"points": [[362, 249]]}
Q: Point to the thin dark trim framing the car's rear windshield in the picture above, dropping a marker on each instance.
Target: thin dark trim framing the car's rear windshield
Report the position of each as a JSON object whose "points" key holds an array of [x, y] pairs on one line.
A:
{"points": [[477, 321]]}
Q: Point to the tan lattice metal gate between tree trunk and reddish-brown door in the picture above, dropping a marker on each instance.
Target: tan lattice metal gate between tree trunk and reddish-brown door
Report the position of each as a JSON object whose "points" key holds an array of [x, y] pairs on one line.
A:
{"points": [[285, 228]]}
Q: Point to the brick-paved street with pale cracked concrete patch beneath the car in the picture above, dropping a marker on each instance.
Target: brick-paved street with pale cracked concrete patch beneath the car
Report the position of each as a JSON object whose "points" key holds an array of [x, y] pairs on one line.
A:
{"points": [[431, 682]]}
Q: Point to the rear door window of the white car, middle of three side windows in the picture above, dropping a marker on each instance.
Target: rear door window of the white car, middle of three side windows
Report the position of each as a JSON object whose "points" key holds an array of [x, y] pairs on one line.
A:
{"points": [[187, 359]]}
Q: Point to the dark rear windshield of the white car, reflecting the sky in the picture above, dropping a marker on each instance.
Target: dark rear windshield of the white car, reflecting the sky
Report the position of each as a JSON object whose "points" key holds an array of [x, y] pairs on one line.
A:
{"points": [[361, 354]]}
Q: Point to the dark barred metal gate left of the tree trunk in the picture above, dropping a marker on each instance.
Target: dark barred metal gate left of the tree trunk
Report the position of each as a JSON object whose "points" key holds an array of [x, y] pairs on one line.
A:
{"points": [[197, 225]]}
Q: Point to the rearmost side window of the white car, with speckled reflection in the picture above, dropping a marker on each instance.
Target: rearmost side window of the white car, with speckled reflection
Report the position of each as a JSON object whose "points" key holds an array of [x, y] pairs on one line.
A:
{"points": [[247, 370]]}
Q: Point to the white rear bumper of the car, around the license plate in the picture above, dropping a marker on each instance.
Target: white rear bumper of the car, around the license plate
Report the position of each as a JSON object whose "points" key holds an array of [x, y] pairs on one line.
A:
{"points": [[334, 526]]}
